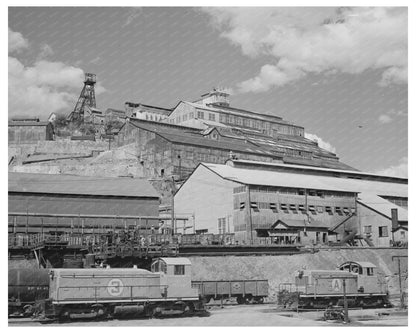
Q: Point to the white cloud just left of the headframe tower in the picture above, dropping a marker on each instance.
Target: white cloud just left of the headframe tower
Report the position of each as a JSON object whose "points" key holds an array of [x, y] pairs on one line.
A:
{"points": [[44, 87]]}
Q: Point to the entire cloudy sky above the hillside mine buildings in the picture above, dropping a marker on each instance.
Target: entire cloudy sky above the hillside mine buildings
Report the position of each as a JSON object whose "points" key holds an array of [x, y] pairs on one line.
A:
{"points": [[339, 72]]}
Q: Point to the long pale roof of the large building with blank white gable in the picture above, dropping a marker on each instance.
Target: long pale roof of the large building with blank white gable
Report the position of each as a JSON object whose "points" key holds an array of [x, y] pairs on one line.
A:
{"points": [[279, 178]]}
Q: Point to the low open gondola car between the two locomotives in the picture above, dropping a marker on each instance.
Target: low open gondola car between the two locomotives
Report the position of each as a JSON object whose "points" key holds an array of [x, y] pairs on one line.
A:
{"points": [[245, 291]]}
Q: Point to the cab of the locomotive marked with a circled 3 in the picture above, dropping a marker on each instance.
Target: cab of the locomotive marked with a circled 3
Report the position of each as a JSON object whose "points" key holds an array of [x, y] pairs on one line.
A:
{"points": [[175, 273]]}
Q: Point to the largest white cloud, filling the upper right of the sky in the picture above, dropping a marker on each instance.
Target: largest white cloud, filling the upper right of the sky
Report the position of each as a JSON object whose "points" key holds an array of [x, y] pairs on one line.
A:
{"points": [[316, 40]]}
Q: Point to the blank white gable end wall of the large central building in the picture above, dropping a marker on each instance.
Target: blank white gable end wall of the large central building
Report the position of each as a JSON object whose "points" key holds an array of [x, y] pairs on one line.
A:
{"points": [[207, 196]]}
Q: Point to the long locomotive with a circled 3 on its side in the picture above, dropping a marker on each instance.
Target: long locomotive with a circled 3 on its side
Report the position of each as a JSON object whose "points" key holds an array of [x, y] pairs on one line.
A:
{"points": [[118, 292]]}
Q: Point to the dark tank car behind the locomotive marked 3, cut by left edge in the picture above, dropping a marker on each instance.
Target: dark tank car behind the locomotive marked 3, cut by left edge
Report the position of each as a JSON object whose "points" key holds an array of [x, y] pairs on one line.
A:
{"points": [[26, 286]]}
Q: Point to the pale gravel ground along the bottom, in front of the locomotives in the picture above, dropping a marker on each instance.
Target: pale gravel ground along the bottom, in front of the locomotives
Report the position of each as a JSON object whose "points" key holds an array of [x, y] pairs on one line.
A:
{"points": [[248, 315]]}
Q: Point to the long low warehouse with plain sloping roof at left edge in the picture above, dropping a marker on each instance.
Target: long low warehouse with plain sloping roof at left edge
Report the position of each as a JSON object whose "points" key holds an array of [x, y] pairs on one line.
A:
{"points": [[47, 199]]}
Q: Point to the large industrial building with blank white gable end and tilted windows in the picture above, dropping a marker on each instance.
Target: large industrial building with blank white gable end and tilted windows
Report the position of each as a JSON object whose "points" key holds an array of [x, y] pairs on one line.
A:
{"points": [[267, 202]]}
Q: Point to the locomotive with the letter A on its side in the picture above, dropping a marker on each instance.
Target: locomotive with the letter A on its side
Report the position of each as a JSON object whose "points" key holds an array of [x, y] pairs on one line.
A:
{"points": [[362, 285]]}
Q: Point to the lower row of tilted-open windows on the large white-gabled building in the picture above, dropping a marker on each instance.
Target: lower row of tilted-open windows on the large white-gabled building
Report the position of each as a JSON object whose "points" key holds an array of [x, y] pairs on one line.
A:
{"points": [[256, 206]]}
